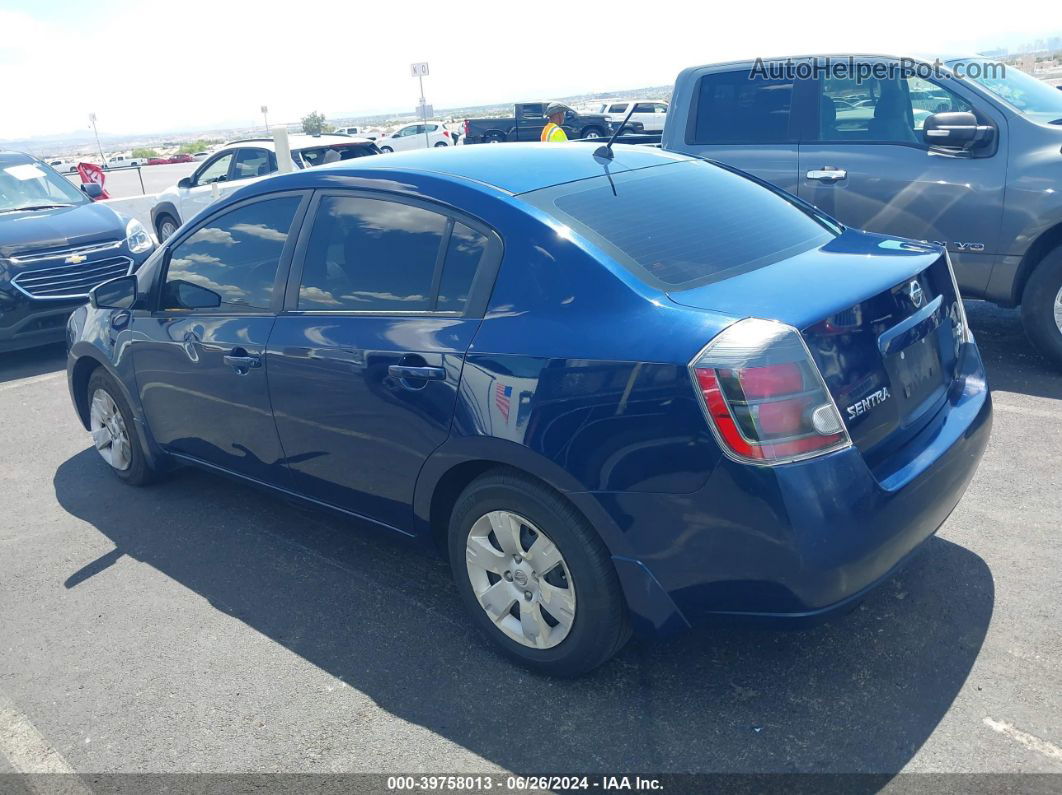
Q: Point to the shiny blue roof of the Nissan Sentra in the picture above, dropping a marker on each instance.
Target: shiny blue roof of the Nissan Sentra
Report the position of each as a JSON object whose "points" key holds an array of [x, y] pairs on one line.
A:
{"points": [[513, 168]]}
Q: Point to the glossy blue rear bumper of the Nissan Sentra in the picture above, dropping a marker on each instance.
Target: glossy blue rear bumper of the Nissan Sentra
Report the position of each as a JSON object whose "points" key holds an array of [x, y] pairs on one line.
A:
{"points": [[801, 541]]}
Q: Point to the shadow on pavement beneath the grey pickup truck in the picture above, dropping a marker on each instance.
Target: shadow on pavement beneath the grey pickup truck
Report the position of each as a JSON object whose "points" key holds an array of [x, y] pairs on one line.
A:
{"points": [[1010, 360]]}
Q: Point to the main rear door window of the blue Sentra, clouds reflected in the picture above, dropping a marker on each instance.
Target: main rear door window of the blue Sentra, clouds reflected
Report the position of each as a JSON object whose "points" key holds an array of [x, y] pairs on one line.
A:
{"points": [[371, 255]]}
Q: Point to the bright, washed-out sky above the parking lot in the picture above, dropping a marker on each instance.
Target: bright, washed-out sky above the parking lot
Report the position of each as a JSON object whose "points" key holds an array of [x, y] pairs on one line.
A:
{"points": [[155, 67]]}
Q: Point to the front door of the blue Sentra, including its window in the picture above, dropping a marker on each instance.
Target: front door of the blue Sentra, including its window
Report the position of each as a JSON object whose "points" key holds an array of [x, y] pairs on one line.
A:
{"points": [[199, 358]]}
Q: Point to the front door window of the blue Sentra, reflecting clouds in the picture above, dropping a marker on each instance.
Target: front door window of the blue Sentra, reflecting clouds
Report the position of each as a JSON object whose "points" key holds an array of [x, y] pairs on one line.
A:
{"points": [[230, 263]]}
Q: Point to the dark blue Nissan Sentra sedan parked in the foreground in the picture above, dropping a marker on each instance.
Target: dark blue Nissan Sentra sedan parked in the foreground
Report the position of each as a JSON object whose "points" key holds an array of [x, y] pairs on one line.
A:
{"points": [[623, 394]]}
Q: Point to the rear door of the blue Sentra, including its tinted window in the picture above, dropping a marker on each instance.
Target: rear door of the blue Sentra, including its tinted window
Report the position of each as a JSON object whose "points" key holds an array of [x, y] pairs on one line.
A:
{"points": [[384, 300]]}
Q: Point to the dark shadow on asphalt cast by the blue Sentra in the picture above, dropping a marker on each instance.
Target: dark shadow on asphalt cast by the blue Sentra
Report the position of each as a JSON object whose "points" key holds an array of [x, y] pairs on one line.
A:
{"points": [[861, 694]]}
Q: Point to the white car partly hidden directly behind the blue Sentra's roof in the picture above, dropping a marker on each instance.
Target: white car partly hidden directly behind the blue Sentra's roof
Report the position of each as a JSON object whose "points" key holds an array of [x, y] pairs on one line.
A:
{"points": [[238, 163]]}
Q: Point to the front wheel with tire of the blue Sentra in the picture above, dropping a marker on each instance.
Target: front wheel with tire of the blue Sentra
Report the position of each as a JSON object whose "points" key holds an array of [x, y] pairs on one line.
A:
{"points": [[115, 434]]}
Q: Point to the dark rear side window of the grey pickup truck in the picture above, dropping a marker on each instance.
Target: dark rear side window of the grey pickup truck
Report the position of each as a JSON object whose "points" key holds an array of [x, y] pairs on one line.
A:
{"points": [[742, 108]]}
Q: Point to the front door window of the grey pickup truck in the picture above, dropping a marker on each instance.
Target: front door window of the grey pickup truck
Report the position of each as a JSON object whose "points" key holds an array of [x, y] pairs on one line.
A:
{"points": [[889, 111]]}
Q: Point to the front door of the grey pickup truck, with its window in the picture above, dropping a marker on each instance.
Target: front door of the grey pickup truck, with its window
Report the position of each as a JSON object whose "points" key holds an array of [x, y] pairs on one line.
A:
{"points": [[869, 167]]}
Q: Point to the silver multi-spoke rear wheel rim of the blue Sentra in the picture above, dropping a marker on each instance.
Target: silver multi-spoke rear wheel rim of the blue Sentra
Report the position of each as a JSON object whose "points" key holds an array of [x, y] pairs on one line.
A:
{"points": [[521, 580]]}
